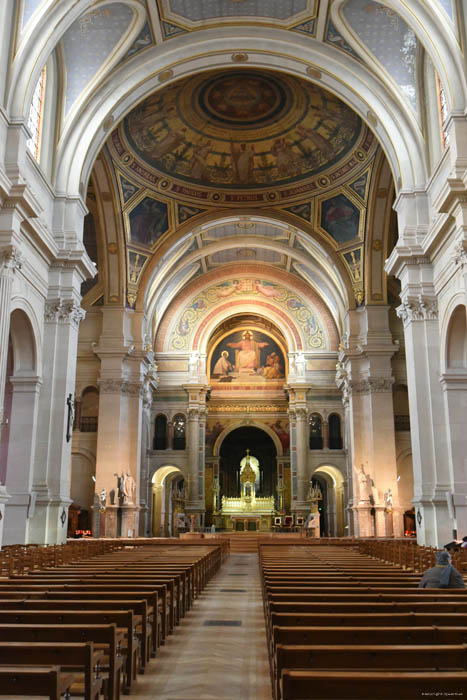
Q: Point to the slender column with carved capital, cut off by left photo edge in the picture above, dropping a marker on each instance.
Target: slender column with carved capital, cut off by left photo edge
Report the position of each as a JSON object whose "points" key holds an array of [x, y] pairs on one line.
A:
{"points": [[10, 262]]}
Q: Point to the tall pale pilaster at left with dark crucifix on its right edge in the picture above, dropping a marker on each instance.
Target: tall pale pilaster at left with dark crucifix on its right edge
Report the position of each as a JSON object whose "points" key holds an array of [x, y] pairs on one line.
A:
{"points": [[52, 471]]}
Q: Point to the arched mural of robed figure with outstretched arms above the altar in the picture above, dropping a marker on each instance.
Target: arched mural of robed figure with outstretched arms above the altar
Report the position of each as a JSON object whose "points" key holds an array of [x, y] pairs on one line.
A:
{"points": [[247, 357]]}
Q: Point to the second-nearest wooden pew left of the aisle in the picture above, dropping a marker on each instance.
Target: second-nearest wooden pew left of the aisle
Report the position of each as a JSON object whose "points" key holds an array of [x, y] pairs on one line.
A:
{"points": [[71, 657]]}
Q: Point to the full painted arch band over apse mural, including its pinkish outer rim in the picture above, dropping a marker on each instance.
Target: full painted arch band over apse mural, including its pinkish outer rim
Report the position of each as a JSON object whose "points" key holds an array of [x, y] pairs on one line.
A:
{"points": [[234, 293]]}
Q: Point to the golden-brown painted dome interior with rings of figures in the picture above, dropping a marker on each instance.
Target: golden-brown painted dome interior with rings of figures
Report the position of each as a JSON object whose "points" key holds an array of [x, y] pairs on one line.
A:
{"points": [[239, 130]]}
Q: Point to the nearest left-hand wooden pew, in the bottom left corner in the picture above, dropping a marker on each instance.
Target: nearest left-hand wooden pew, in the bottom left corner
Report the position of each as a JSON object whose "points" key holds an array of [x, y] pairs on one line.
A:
{"points": [[34, 680]]}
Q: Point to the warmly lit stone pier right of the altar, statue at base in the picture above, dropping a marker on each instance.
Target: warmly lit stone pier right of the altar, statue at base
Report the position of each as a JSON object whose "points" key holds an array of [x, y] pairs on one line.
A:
{"points": [[365, 376]]}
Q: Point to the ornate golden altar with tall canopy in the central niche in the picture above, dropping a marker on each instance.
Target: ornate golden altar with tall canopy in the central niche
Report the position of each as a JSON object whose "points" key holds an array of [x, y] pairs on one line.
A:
{"points": [[248, 511]]}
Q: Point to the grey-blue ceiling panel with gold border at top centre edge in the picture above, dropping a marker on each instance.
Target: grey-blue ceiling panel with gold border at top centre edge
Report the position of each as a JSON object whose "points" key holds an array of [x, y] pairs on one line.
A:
{"points": [[199, 15]]}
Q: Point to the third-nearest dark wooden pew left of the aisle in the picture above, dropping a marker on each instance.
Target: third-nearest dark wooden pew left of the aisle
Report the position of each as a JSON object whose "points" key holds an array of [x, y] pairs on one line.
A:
{"points": [[107, 638]]}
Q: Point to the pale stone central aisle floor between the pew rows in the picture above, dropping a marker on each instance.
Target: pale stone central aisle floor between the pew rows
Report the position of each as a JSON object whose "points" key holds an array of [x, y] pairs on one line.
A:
{"points": [[219, 651]]}
